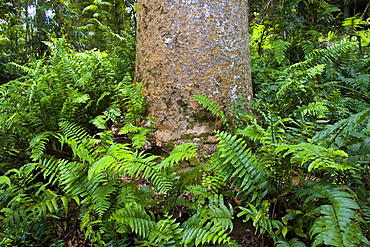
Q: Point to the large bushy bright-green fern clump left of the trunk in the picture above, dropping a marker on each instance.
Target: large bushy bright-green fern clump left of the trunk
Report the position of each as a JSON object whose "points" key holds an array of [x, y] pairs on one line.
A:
{"points": [[68, 86]]}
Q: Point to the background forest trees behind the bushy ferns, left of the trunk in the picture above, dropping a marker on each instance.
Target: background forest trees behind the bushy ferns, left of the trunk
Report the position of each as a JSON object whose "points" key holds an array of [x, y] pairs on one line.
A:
{"points": [[26, 25]]}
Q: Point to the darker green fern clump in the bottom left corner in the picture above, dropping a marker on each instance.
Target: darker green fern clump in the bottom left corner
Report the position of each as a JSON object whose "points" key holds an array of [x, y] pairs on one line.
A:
{"points": [[27, 206]]}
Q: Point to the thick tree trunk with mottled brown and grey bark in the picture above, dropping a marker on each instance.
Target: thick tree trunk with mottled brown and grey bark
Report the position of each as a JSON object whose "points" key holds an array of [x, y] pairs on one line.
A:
{"points": [[190, 47]]}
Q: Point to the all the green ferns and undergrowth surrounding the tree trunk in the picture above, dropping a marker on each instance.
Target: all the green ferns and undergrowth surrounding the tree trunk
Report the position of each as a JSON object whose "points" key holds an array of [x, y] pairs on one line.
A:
{"points": [[78, 167]]}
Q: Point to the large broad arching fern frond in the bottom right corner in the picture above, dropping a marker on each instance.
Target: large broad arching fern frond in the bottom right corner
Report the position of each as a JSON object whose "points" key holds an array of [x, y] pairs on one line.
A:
{"points": [[335, 224]]}
